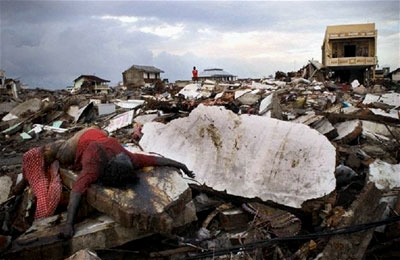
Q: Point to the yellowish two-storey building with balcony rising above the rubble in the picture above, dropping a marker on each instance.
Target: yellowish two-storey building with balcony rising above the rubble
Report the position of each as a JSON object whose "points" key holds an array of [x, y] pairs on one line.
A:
{"points": [[350, 51]]}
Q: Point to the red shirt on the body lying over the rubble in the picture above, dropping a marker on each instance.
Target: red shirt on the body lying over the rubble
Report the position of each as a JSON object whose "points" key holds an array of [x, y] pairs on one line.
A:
{"points": [[94, 151]]}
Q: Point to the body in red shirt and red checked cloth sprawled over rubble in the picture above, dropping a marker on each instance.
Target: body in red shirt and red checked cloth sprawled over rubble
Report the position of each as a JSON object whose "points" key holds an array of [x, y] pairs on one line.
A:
{"points": [[98, 157]]}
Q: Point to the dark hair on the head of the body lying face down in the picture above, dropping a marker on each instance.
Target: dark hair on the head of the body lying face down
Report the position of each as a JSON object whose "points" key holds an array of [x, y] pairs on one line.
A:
{"points": [[118, 172]]}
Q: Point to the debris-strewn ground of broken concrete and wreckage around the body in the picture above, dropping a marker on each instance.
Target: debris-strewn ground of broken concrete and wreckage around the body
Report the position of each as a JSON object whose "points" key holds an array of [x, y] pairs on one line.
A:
{"points": [[284, 170]]}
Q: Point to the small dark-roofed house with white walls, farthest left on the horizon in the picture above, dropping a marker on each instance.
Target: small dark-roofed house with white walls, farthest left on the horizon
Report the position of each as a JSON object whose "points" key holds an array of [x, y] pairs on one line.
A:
{"points": [[91, 84]]}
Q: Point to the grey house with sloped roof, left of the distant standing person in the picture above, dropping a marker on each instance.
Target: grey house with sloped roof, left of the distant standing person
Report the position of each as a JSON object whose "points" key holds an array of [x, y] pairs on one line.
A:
{"points": [[137, 76]]}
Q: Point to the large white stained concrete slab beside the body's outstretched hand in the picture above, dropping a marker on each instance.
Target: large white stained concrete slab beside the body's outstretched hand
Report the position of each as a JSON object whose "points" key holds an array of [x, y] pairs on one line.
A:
{"points": [[249, 156]]}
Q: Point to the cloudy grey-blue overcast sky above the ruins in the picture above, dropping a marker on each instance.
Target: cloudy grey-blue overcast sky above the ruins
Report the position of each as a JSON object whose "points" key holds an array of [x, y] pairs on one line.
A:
{"points": [[50, 43]]}
